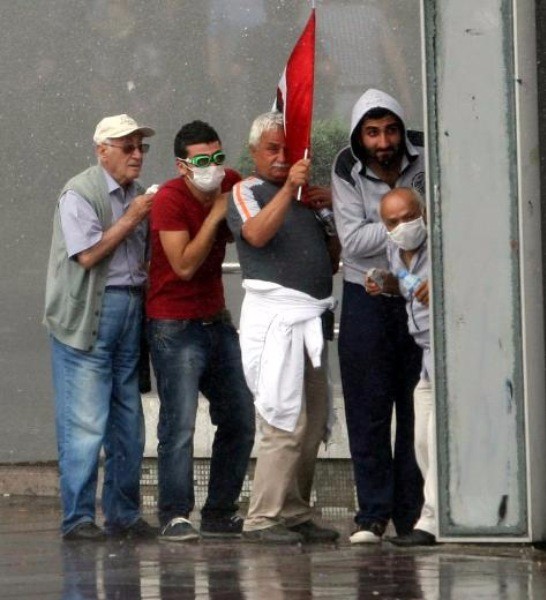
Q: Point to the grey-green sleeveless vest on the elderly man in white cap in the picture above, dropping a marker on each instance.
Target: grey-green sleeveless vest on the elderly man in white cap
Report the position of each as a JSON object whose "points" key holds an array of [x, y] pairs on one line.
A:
{"points": [[73, 300]]}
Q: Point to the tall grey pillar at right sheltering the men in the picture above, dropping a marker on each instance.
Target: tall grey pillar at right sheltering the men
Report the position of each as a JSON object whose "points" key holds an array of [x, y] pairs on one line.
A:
{"points": [[485, 216]]}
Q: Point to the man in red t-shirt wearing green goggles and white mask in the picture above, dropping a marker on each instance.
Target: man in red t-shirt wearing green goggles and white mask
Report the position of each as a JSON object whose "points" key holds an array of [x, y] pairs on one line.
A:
{"points": [[194, 346]]}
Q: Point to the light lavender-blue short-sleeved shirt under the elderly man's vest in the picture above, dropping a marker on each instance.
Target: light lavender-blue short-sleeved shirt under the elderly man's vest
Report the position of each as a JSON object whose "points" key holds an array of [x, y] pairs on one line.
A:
{"points": [[82, 230]]}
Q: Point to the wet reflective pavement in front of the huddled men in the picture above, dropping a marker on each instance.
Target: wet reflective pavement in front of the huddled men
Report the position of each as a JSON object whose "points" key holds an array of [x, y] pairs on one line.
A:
{"points": [[36, 563]]}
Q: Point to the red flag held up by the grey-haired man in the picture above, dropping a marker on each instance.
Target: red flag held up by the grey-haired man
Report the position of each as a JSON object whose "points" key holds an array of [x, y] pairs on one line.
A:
{"points": [[295, 93]]}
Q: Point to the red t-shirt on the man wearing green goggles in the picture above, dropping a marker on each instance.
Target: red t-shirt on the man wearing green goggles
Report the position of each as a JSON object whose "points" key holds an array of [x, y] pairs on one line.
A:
{"points": [[169, 297]]}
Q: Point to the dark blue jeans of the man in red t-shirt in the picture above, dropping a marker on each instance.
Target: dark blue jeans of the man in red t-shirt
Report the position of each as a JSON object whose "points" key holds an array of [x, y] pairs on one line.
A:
{"points": [[188, 357]]}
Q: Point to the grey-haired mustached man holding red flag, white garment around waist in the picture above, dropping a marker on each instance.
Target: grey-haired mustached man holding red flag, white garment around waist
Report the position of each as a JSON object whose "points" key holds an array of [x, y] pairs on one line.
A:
{"points": [[287, 275]]}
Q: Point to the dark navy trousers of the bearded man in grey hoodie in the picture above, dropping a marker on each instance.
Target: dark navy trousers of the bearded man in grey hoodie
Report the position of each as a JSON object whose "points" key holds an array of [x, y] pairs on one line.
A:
{"points": [[380, 365]]}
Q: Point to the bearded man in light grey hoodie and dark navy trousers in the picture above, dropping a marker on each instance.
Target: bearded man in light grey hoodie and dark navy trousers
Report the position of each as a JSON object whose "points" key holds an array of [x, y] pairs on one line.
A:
{"points": [[380, 362]]}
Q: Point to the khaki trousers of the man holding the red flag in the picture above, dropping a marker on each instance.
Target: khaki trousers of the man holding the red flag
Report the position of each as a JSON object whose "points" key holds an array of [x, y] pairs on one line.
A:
{"points": [[285, 464]]}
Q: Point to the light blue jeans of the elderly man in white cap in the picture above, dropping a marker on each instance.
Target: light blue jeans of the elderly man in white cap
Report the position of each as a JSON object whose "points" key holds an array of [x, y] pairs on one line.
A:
{"points": [[98, 405]]}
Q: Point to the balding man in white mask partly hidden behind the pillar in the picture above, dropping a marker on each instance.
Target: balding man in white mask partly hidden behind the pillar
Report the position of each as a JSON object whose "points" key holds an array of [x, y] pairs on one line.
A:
{"points": [[402, 211]]}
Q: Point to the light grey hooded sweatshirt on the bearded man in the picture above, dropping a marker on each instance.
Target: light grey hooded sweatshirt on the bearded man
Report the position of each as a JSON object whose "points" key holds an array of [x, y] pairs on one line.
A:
{"points": [[357, 192]]}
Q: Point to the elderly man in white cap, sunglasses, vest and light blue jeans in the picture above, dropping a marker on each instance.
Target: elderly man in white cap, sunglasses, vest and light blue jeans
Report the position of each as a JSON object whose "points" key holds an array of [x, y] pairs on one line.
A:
{"points": [[93, 306]]}
